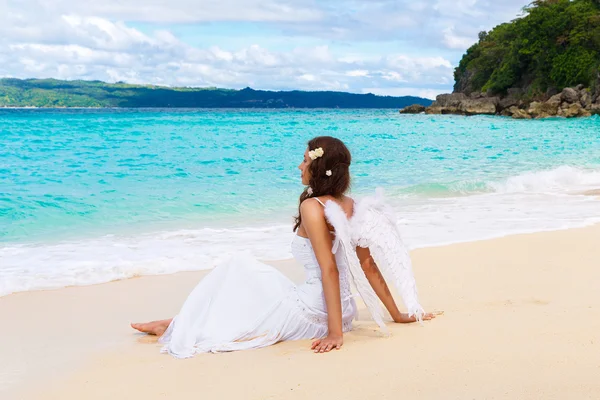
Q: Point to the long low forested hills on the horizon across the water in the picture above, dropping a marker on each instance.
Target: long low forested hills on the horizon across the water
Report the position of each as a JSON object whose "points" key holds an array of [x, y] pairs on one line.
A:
{"points": [[58, 93]]}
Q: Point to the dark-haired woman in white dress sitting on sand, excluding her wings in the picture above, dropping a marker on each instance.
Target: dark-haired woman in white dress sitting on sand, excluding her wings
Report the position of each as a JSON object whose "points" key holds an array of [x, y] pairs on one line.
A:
{"points": [[245, 304]]}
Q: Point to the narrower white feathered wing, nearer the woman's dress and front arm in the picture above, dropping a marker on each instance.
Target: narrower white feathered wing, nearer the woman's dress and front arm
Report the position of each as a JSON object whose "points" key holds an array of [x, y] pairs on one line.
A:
{"points": [[343, 242]]}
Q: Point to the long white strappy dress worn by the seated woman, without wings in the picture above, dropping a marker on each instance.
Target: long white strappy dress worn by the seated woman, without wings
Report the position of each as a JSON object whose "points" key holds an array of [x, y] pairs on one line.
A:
{"points": [[244, 304]]}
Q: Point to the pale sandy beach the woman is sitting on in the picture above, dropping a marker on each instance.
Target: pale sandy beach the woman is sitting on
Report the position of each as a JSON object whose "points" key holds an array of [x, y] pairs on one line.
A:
{"points": [[521, 322]]}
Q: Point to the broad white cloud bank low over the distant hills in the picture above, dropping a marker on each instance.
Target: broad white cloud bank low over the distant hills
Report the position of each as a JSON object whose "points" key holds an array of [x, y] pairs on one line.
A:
{"points": [[112, 51]]}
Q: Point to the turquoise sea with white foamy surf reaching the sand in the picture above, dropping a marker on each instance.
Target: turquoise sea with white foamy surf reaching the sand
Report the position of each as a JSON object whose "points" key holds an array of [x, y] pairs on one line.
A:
{"points": [[89, 196]]}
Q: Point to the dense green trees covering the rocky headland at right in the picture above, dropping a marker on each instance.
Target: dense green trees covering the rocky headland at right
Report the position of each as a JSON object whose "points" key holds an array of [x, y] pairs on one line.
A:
{"points": [[555, 44]]}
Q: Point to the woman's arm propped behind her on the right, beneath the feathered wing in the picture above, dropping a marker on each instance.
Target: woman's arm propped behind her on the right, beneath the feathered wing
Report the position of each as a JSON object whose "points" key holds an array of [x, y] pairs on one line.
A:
{"points": [[381, 288]]}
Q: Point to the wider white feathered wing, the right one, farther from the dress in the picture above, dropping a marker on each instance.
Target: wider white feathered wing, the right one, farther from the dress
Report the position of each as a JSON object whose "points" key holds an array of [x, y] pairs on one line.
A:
{"points": [[374, 226]]}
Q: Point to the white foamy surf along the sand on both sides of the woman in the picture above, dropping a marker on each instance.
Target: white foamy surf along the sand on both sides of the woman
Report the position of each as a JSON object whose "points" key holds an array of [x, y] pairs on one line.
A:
{"points": [[424, 223]]}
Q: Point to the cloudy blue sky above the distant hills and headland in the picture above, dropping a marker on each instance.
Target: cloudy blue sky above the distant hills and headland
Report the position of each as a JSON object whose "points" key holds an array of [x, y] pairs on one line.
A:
{"points": [[387, 47]]}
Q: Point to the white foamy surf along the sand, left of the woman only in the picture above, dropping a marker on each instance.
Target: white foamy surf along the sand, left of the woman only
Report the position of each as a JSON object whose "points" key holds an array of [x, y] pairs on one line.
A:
{"points": [[26, 267]]}
